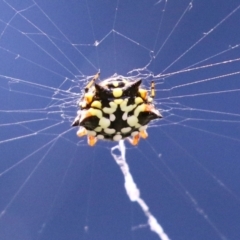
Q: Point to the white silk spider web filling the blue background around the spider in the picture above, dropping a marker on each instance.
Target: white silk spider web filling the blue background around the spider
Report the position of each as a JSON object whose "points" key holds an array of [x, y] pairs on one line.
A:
{"points": [[53, 186]]}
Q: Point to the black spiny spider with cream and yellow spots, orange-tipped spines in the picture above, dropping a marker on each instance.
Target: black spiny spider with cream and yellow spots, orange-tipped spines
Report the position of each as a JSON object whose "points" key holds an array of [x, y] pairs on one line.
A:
{"points": [[115, 109]]}
